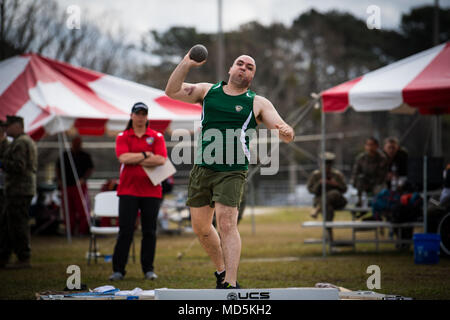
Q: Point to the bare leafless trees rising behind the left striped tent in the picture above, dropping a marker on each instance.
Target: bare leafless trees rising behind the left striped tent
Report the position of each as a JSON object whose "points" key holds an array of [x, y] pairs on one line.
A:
{"points": [[40, 27]]}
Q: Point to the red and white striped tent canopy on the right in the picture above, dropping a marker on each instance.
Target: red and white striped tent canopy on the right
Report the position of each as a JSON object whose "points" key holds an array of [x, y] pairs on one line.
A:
{"points": [[421, 81]]}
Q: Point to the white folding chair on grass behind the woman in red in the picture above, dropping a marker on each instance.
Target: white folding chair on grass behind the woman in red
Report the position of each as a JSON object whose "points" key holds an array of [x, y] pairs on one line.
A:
{"points": [[106, 205]]}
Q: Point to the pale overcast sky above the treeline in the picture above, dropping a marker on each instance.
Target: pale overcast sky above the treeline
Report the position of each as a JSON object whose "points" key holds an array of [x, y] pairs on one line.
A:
{"points": [[138, 16]]}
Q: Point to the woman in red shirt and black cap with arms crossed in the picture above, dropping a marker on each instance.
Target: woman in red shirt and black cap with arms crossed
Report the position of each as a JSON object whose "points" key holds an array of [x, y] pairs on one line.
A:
{"points": [[137, 147]]}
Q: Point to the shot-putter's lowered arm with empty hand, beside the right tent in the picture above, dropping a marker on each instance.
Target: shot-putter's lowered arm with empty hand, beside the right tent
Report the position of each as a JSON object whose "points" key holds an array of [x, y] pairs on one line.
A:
{"points": [[266, 113]]}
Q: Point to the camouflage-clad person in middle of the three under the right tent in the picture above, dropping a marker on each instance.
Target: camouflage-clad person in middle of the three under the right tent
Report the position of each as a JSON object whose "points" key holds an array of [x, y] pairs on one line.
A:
{"points": [[370, 169]]}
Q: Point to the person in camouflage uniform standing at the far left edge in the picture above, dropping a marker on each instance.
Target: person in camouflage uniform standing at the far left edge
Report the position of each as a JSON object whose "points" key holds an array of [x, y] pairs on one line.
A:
{"points": [[20, 166]]}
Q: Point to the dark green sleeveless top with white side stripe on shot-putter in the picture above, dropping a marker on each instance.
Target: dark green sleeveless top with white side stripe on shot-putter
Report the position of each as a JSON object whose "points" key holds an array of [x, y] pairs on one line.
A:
{"points": [[225, 136]]}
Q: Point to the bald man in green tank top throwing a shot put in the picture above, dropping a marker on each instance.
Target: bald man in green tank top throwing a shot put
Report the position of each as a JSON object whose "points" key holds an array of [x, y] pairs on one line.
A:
{"points": [[219, 185]]}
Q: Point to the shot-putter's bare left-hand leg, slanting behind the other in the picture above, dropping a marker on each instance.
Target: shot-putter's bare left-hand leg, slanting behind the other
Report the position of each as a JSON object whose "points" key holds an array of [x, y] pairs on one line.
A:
{"points": [[201, 219]]}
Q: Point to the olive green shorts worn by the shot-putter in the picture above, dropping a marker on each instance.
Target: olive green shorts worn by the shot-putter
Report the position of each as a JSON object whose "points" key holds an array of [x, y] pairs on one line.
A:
{"points": [[207, 187]]}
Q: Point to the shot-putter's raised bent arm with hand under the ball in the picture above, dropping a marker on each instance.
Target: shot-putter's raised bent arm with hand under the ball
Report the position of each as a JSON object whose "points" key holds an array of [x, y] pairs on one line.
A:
{"points": [[177, 89]]}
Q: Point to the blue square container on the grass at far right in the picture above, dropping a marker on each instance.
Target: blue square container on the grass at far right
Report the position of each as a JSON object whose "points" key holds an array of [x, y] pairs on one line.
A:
{"points": [[426, 248]]}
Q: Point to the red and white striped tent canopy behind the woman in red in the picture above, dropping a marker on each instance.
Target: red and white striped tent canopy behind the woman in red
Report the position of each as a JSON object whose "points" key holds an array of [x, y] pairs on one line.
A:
{"points": [[53, 96]]}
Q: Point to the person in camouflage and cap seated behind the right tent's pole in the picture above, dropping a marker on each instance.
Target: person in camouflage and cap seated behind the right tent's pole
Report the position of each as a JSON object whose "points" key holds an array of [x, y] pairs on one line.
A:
{"points": [[335, 186]]}
